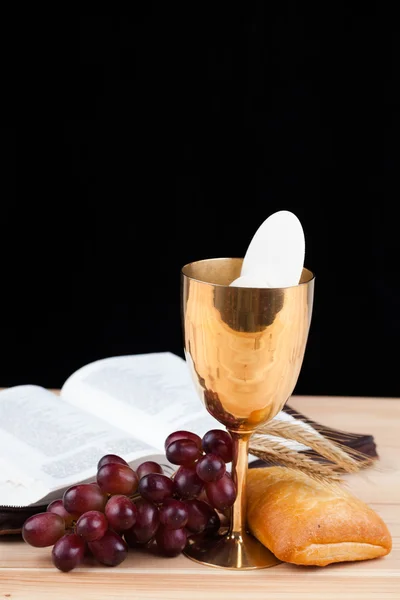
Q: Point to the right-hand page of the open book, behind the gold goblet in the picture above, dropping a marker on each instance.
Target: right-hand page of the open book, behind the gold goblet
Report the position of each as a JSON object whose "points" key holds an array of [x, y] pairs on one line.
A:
{"points": [[150, 395]]}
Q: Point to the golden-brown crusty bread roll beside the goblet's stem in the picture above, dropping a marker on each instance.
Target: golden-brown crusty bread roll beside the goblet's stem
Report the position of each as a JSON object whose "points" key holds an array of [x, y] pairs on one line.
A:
{"points": [[306, 522]]}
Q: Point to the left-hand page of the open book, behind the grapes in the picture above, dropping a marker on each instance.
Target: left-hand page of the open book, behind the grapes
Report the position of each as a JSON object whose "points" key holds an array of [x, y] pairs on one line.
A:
{"points": [[47, 444]]}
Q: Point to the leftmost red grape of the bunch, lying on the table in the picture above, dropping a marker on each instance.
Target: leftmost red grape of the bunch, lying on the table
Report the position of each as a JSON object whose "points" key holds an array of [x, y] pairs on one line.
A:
{"points": [[43, 529]]}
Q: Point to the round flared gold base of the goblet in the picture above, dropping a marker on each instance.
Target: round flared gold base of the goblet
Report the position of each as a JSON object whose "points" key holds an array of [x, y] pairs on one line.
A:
{"points": [[231, 551]]}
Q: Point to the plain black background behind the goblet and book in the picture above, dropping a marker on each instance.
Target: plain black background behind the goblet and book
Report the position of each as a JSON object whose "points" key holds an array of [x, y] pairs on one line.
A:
{"points": [[134, 145]]}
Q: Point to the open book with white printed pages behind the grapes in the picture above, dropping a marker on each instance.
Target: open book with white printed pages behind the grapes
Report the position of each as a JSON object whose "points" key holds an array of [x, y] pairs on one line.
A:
{"points": [[125, 405]]}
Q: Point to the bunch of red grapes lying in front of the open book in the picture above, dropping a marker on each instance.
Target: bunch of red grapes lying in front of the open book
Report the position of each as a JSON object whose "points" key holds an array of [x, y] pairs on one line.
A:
{"points": [[128, 508]]}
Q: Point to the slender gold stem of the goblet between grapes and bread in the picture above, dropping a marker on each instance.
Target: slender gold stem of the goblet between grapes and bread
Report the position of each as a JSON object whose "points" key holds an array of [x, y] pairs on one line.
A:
{"points": [[239, 474]]}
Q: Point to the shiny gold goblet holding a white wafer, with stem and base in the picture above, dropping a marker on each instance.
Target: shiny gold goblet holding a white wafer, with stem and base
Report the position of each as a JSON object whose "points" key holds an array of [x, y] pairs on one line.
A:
{"points": [[245, 348]]}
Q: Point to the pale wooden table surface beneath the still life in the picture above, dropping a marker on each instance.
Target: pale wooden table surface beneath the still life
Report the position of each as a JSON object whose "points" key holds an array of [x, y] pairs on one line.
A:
{"points": [[27, 572]]}
